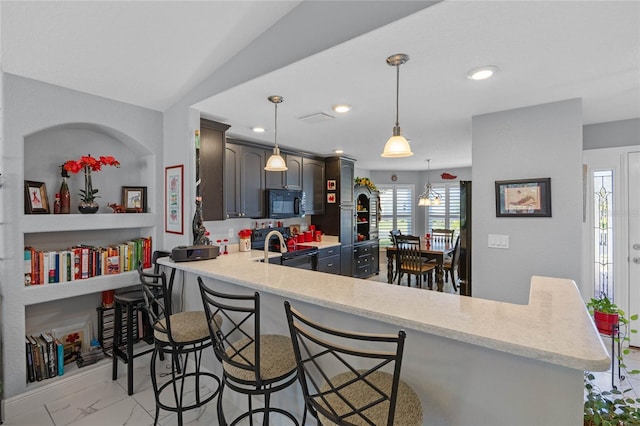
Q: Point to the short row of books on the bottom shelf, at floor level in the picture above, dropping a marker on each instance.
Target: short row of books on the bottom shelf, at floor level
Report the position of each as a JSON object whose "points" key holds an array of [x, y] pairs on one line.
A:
{"points": [[45, 357]]}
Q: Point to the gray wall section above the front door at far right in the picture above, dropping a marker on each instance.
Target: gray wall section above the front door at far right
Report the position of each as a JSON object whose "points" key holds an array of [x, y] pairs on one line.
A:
{"points": [[612, 134]]}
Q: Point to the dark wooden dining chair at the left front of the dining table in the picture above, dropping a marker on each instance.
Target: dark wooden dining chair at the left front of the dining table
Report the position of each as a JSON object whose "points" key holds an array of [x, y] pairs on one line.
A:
{"points": [[409, 260]]}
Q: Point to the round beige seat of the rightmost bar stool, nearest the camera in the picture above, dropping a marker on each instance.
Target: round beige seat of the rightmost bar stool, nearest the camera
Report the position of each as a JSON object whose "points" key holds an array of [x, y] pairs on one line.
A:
{"points": [[408, 407]]}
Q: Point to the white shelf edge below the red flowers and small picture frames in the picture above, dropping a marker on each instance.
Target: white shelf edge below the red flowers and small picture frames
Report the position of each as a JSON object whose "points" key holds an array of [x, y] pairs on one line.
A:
{"points": [[36, 224]]}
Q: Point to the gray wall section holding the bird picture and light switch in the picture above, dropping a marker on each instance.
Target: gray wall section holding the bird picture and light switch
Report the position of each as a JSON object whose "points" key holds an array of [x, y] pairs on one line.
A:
{"points": [[533, 142]]}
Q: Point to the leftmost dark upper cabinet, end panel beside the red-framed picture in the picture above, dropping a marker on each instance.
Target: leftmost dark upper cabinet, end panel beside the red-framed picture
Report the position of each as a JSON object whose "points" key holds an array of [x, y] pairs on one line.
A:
{"points": [[210, 168]]}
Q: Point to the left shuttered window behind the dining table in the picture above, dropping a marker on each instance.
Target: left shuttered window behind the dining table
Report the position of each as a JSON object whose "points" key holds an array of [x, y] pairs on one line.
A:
{"points": [[397, 210]]}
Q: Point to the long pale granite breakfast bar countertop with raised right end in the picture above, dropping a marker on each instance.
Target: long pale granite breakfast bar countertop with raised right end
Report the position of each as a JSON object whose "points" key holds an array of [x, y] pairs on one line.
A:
{"points": [[554, 327]]}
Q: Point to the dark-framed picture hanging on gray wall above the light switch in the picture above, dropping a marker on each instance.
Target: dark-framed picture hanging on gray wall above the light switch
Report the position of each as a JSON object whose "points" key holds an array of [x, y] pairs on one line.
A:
{"points": [[523, 198]]}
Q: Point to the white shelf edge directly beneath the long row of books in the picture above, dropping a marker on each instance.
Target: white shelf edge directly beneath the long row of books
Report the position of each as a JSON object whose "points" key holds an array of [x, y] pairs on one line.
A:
{"points": [[40, 293]]}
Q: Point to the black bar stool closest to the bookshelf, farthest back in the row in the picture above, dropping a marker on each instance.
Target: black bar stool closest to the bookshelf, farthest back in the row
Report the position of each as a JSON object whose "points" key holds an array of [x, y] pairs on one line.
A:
{"points": [[130, 302]]}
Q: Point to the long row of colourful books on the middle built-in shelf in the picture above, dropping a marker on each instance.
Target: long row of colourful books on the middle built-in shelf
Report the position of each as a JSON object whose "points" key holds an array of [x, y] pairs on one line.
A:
{"points": [[84, 261]]}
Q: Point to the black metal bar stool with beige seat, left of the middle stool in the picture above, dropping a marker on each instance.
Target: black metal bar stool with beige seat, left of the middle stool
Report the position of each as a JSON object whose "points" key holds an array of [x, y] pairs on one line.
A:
{"points": [[178, 335]]}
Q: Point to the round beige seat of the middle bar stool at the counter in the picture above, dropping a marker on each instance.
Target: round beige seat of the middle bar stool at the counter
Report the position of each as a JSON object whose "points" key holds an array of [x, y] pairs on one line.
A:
{"points": [[277, 359]]}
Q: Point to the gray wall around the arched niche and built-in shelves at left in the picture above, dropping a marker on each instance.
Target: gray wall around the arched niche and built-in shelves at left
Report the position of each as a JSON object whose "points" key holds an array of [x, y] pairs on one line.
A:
{"points": [[66, 116]]}
